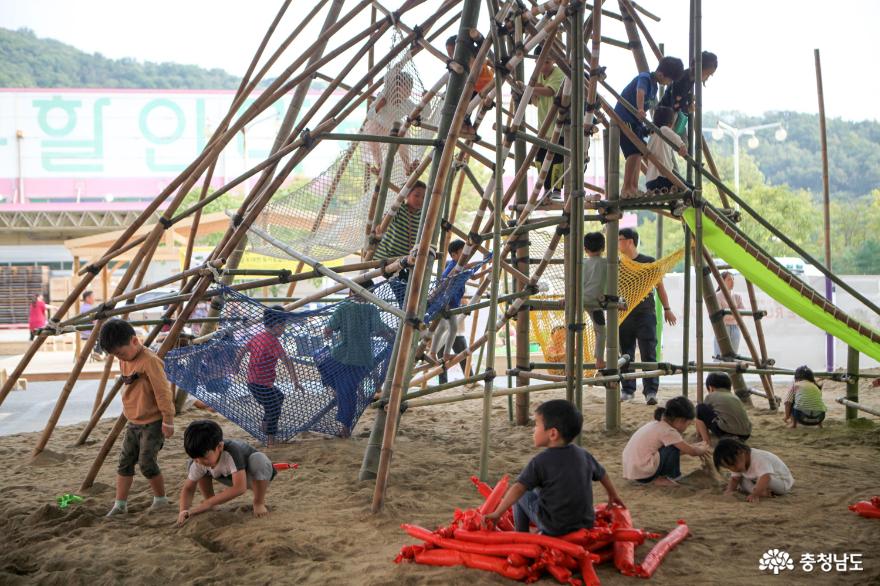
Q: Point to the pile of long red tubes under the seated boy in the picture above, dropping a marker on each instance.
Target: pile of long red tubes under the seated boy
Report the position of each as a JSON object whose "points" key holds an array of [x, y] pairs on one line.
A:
{"points": [[469, 541]]}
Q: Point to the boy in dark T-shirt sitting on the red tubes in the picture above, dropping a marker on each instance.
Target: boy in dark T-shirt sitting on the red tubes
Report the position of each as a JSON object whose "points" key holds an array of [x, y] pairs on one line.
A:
{"points": [[554, 491]]}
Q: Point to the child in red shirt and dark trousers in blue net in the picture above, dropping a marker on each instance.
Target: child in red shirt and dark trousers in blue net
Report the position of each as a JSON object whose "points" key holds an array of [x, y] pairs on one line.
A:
{"points": [[265, 354]]}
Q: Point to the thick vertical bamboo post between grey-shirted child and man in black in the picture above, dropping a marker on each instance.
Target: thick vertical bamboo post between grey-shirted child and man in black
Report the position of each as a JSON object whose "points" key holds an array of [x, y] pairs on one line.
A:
{"points": [[612, 253]]}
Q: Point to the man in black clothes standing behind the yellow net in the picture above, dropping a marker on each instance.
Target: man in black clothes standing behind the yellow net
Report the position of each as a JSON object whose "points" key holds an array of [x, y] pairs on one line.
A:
{"points": [[640, 326]]}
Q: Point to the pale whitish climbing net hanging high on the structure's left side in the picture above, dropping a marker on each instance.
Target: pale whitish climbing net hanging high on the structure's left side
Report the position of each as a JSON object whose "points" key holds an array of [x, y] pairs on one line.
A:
{"points": [[327, 218]]}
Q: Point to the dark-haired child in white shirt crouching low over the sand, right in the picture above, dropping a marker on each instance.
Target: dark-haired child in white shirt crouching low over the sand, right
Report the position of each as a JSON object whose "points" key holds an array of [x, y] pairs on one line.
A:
{"points": [[755, 472]]}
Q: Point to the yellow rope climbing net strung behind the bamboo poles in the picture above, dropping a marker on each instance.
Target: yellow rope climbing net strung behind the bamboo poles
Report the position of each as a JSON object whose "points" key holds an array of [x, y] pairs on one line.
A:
{"points": [[548, 328]]}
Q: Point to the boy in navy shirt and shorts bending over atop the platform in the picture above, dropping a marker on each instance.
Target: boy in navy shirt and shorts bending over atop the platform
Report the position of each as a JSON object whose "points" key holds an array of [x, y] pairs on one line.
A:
{"points": [[641, 94]]}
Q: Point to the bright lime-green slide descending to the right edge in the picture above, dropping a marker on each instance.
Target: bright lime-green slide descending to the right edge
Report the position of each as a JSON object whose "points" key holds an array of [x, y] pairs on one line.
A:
{"points": [[716, 240]]}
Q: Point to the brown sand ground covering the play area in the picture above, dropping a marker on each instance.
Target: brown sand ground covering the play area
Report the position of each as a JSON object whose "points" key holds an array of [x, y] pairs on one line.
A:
{"points": [[321, 531]]}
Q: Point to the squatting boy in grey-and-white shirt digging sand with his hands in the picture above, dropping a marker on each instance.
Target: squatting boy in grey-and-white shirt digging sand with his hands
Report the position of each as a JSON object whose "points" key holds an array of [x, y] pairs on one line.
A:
{"points": [[232, 463]]}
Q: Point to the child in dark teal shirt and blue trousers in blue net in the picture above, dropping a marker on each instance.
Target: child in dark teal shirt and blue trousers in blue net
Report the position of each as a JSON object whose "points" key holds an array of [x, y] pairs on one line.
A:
{"points": [[352, 355]]}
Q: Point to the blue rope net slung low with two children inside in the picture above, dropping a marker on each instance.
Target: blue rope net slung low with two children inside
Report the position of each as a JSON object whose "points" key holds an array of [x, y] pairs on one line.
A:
{"points": [[277, 373]]}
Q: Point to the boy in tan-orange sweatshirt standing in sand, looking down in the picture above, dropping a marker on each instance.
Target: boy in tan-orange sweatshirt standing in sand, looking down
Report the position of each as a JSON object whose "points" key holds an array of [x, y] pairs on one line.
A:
{"points": [[148, 405]]}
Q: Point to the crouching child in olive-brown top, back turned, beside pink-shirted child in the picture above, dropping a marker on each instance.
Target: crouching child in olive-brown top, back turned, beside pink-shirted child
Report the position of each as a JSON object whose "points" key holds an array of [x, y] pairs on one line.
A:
{"points": [[721, 412]]}
